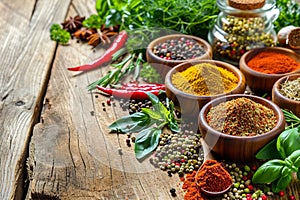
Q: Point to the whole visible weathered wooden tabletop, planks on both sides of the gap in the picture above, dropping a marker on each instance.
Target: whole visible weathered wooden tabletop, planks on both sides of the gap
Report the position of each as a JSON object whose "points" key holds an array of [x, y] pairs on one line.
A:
{"points": [[54, 136]]}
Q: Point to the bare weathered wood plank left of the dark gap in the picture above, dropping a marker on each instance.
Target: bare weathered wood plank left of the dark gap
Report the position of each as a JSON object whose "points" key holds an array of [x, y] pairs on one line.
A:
{"points": [[25, 60]]}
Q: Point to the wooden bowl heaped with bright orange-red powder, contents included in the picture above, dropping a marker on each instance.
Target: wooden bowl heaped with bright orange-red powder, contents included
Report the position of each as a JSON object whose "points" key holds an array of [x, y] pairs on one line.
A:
{"points": [[262, 67]]}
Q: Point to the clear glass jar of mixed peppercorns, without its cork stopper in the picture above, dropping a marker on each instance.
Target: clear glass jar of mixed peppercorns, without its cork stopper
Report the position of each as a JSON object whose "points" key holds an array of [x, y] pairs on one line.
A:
{"points": [[237, 31]]}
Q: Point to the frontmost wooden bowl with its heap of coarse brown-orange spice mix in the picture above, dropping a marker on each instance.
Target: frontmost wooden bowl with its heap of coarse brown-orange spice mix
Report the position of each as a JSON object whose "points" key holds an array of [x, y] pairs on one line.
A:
{"points": [[236, 127]]}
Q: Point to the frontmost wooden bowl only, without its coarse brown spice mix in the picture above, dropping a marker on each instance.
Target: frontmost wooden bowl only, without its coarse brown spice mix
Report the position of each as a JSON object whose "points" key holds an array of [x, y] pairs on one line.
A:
{"points": [[238, 148]]}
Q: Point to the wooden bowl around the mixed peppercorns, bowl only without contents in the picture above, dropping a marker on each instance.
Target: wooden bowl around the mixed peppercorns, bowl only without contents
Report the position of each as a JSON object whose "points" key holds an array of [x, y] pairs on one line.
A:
{"points": [[162, 65]]}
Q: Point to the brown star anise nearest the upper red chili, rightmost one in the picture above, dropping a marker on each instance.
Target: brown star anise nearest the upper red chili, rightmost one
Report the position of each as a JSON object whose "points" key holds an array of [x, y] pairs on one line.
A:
{"points": [[102, 36]]}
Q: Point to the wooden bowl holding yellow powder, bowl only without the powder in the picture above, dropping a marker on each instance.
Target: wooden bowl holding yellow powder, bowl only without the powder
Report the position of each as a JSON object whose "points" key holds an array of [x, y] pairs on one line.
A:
{"points": [[190, 104]]}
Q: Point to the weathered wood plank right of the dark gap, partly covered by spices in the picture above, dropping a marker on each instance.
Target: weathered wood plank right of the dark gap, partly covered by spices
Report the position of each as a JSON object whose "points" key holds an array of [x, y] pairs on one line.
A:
{"points": [[73, 155]]}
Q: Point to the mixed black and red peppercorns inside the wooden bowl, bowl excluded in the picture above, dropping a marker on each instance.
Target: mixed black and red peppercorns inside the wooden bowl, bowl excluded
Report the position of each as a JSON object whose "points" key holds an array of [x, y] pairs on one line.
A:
{"points": [[179, 49]]}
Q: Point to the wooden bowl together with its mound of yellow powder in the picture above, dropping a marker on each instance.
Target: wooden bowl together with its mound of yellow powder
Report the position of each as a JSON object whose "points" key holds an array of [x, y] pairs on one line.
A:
{"points": [[191, 85]]}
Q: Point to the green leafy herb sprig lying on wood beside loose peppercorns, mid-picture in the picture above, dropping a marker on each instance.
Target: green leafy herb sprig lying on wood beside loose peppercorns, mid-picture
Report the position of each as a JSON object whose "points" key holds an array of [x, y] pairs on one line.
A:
{"points": [[148, 124]]}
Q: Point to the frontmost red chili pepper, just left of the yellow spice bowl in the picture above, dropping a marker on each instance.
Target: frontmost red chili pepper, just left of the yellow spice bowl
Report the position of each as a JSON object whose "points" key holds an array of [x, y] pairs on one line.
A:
{"points": [[120, 93]]}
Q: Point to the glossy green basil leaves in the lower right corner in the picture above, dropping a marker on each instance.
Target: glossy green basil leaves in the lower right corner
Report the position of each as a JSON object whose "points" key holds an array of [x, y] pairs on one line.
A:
{"points": [[284, 153]]}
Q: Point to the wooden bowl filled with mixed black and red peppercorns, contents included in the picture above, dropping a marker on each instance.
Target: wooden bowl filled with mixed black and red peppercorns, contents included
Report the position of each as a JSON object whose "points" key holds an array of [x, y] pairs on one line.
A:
{"points": [[168, 51]]}
